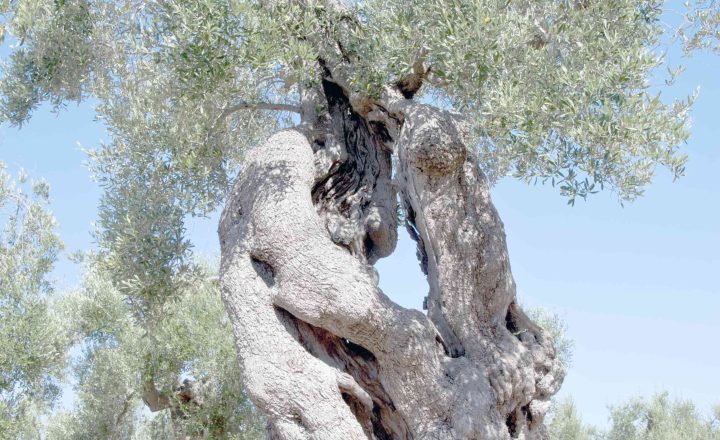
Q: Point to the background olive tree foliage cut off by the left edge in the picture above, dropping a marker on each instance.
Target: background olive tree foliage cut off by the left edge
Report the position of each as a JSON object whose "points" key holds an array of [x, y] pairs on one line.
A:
{"points": [[32, 341]]}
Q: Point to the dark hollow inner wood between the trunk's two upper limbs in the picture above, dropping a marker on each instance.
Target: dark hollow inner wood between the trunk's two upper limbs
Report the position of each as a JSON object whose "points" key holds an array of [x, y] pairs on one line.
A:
{"points": [[355, 196]]}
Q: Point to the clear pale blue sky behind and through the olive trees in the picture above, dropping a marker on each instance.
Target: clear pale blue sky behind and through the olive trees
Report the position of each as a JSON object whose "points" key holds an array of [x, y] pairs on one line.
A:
{"points": [[638, 286]]}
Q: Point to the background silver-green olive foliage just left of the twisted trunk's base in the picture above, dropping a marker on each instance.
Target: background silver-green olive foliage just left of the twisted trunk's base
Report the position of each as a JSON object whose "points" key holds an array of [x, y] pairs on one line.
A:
{"points": [[190, 338]]}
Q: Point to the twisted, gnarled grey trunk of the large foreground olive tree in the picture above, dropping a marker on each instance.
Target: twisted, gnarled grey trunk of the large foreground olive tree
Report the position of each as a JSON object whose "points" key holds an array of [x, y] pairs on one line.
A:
{"points": [[326, 355]]}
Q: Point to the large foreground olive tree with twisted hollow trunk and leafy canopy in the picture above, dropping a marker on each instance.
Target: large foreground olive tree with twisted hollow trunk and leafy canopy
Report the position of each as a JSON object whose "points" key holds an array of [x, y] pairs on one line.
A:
{"points": [[319, 126]]}
